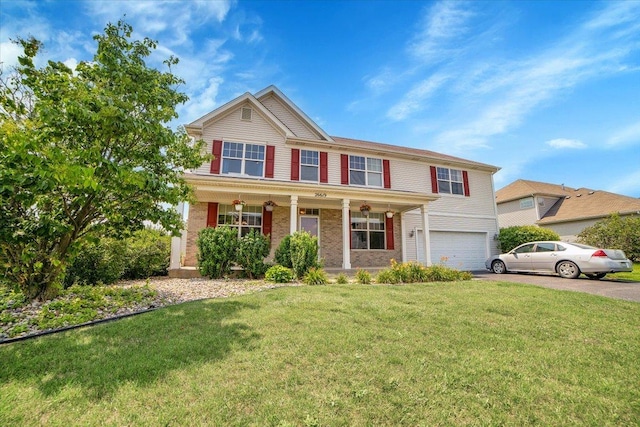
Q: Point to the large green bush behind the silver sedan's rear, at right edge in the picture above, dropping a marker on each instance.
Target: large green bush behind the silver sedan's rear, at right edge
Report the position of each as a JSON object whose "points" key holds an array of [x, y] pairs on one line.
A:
{"points": [[615, 232]]}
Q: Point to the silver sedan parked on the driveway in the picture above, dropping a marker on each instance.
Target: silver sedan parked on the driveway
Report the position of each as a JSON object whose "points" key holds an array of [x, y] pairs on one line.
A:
{"points": [[566, 259]]}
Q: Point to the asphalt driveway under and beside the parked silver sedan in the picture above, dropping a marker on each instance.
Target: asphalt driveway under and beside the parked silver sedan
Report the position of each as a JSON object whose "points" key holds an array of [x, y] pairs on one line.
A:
{"points": [[607, 287]]}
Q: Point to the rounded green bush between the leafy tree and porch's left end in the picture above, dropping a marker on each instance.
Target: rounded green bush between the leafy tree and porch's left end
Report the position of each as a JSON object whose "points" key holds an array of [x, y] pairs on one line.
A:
{"points": [[148, 252]]}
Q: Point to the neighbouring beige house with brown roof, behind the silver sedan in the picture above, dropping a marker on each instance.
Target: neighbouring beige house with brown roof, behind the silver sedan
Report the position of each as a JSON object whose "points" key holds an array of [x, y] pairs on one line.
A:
{"points": [[565, 210]]}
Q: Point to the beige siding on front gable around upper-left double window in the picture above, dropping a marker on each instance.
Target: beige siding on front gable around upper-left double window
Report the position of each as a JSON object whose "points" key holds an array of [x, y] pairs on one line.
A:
{"points": [[259, 130]]}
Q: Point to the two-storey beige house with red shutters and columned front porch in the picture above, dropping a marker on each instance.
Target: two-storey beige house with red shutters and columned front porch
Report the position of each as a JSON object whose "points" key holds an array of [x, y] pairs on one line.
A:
{"points": [[266, 149]]}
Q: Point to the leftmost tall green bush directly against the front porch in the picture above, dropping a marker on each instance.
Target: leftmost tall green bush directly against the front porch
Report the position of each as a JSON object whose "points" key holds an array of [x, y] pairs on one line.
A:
{"points": [[217, 251]]}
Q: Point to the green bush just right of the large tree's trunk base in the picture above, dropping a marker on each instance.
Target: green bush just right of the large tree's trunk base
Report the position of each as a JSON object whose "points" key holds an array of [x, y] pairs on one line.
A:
{"points": [[97, 262]]}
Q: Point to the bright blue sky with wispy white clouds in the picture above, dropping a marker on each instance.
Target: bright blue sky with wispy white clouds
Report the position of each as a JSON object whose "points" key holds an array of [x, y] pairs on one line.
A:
{"points": [[547, 91]]}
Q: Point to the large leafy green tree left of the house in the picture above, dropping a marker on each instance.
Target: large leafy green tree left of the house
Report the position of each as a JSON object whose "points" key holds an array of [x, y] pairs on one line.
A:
{"points": [[86, 152]]}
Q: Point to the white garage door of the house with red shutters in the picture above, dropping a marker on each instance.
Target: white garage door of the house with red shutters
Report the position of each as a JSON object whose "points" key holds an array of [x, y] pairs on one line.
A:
{"points": [[463, 251]]}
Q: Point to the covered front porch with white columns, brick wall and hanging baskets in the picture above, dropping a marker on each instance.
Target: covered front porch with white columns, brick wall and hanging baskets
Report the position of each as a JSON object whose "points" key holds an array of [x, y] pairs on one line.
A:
{"points": [[349, 238]]}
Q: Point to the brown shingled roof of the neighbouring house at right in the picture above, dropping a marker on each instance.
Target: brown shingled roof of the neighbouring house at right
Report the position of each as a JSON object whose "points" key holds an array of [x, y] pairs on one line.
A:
{"points": [[573, 203]]}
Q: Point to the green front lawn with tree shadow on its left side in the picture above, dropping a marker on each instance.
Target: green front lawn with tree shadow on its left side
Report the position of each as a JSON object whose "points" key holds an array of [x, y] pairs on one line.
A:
{"points": [[462, 353]]}
